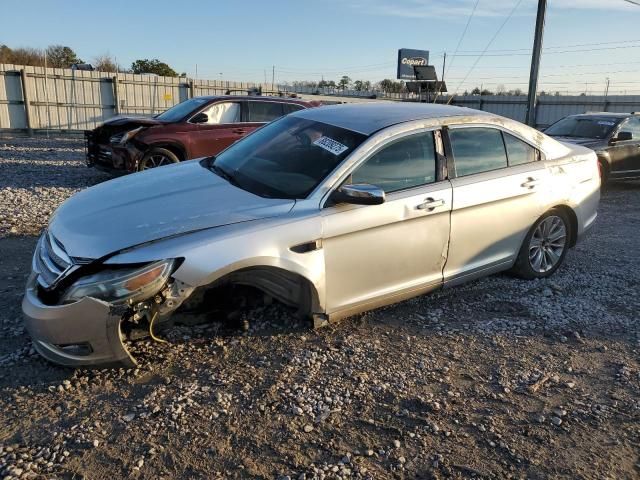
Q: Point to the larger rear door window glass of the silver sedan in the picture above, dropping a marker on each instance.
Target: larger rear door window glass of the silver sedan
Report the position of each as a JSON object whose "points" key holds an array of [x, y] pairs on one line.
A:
{"points": [[477, 150]]}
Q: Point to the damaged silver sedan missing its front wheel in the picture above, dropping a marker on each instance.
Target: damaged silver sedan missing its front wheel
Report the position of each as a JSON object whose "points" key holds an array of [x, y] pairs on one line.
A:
{"points": [[334, 210]]}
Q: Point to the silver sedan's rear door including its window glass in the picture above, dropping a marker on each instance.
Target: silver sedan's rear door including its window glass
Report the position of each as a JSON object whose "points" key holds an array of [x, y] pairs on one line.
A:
{"points": [[496, 199]]}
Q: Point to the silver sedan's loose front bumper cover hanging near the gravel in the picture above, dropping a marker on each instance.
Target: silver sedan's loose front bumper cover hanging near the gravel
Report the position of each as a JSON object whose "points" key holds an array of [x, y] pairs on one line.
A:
{"points": [[89, 329]]}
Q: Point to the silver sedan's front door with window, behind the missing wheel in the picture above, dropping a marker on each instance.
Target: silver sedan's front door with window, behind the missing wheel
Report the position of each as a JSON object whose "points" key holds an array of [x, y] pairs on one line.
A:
{"points": [[397, 249]]}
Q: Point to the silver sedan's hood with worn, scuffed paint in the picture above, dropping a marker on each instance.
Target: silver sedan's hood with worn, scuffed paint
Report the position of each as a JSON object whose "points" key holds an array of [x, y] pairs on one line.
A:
{"points": [[152, 205]]}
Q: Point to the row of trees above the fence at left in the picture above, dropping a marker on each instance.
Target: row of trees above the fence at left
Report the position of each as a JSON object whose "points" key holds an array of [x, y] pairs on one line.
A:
{"points": [[61, 56]]}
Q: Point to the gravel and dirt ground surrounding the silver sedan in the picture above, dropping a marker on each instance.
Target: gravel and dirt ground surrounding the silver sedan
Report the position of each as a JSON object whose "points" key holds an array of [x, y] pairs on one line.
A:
{"points": [[499, 378]]}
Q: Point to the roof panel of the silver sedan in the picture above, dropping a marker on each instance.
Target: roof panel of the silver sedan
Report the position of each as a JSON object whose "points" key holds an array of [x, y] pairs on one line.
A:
{"points": [[369, 117]]}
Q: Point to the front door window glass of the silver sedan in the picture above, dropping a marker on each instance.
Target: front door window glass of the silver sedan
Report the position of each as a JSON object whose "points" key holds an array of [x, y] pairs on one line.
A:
{"points": [[405, 163]]}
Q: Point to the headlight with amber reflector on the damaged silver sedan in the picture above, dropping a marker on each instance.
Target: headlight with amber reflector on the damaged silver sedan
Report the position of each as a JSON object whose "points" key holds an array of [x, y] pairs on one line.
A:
{"points": [[121, 285]]}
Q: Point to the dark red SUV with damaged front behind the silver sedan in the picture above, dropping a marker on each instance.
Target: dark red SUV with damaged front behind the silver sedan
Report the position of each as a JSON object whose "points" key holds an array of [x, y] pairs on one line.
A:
{"points": [[198, 127]]}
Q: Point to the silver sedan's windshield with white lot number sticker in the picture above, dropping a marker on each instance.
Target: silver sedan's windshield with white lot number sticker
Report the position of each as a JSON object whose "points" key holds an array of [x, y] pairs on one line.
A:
{"points": [[287, 158]]}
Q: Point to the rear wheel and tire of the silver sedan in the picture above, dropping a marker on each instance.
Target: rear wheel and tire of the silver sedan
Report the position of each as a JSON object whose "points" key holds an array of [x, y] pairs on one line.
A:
{"points": [[544, 247]]}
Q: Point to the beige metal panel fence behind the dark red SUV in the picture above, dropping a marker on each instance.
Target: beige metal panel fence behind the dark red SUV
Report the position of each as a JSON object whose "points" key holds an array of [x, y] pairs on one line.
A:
{"points": [[33, 98]]}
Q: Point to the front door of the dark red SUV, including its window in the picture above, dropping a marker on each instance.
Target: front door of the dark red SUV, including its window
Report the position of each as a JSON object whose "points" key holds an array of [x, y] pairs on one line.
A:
{"points": [[221, 129]]}
